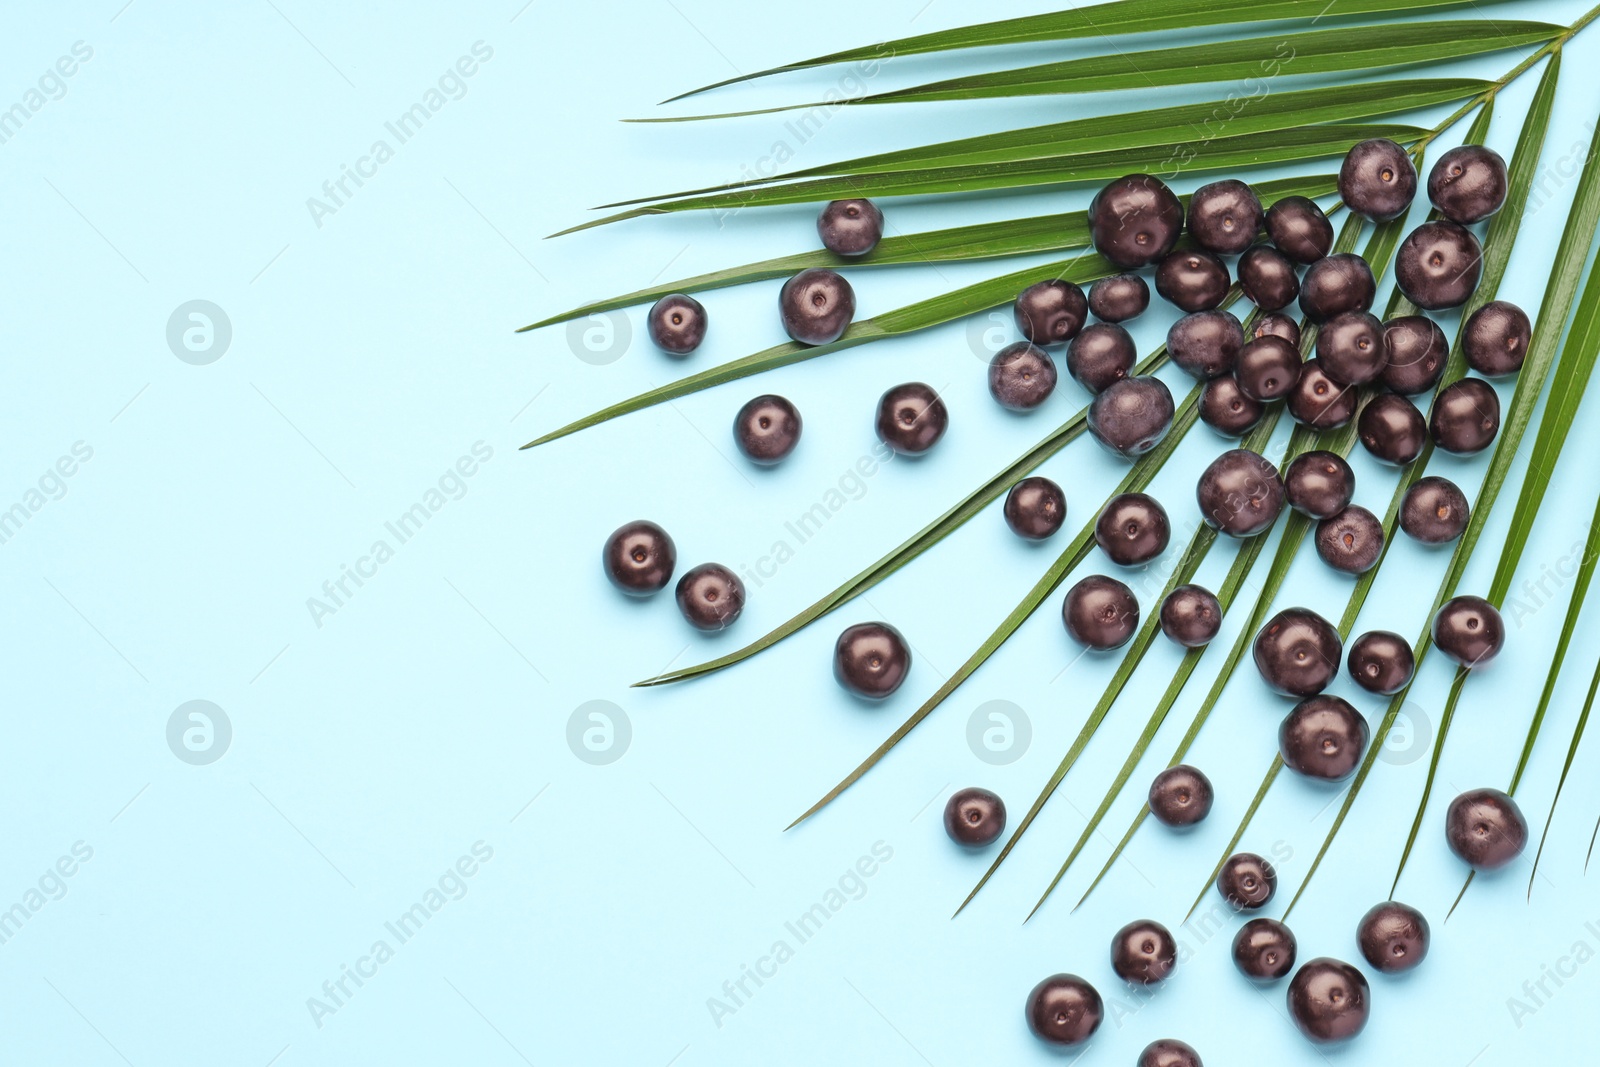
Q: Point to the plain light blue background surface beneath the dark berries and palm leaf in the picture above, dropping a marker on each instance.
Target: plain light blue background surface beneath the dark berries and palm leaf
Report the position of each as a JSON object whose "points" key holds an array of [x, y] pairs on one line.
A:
{"points": [[370, 753]]}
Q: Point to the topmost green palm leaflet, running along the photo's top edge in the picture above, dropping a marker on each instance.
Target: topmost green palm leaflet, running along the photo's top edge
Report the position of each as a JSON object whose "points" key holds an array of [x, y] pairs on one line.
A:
{"points": [[1130, 17]]}
